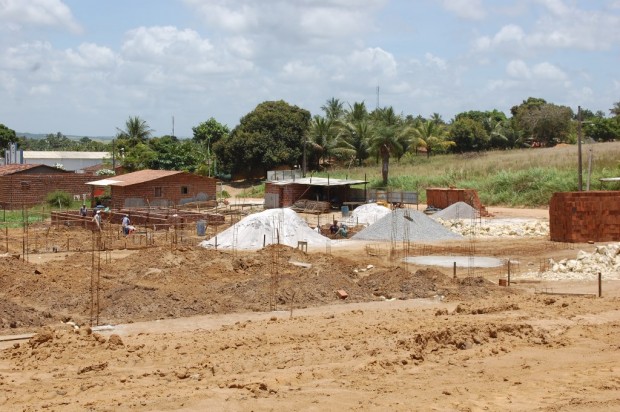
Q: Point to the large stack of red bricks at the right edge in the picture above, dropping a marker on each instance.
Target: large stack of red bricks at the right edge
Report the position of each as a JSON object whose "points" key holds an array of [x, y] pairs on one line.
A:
{"points": [[577, 217]]}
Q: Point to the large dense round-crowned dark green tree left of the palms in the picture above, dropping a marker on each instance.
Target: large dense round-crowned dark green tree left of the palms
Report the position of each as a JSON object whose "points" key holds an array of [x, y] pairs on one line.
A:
{"points": [[272, 135]]}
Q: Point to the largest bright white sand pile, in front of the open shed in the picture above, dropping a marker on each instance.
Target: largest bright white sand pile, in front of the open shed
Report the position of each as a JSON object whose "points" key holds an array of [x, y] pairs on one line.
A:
{"points": [[250, 232]]}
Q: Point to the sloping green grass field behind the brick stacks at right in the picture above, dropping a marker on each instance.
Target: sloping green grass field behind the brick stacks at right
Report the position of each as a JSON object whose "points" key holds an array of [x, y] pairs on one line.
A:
{"points": [[518, 178]]}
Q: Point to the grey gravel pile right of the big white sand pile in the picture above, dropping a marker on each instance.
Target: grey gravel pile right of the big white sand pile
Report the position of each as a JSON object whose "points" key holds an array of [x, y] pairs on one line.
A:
{"points": [[406, 224]]}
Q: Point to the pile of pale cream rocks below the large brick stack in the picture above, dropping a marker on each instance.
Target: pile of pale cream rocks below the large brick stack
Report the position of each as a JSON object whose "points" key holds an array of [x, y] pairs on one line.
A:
{"points": [[604, 259]]}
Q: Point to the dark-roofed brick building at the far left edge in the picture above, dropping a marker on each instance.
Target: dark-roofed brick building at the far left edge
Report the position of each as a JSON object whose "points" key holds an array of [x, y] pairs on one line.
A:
{"points": [[28, 184]]}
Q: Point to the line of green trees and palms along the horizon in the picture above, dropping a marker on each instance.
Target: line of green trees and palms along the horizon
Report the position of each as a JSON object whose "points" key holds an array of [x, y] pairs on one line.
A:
{"points": [[276, 134]]}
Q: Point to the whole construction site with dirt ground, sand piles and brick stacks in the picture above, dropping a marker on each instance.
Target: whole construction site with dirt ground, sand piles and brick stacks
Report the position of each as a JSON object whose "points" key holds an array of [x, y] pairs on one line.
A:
{"points": [[240, 306]]}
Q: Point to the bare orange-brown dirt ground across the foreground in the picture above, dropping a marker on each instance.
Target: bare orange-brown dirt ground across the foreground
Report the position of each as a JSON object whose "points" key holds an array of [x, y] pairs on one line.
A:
{"points": [[185, 328]]}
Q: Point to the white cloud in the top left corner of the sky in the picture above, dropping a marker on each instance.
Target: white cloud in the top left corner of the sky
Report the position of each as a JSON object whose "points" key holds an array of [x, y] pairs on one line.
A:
{"points": [[53, 13]]}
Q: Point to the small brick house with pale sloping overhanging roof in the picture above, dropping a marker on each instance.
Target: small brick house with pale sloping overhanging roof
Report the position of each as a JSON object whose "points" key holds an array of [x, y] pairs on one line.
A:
{"points": [[156, 188]]}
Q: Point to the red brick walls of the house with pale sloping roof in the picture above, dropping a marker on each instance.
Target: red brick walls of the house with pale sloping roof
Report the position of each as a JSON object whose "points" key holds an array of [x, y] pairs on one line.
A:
{"points": [[170, 190]]}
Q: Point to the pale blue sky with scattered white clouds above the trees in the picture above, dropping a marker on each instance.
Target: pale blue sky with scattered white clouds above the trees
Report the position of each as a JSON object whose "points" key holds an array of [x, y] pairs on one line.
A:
{"points": [[82, 67]]}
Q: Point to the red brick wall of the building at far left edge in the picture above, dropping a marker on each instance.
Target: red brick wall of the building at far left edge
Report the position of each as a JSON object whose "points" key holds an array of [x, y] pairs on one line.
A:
{"points": [[29, 189]]}
